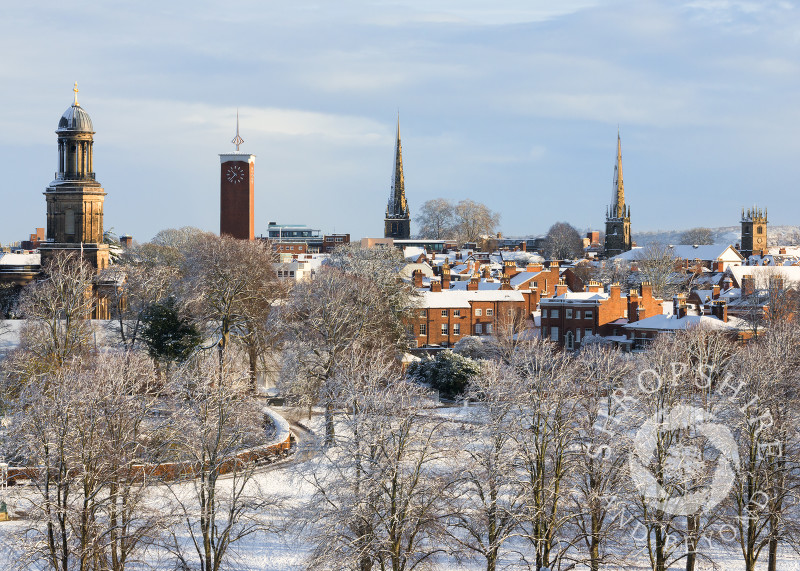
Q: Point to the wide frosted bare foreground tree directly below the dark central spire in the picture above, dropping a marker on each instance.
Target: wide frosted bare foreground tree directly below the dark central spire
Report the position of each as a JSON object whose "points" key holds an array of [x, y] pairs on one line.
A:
{"points": [[381, 502]]}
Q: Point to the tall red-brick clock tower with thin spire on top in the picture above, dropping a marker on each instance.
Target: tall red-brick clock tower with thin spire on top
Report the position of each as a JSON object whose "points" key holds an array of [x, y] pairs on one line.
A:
{"points": [[237, 189]]}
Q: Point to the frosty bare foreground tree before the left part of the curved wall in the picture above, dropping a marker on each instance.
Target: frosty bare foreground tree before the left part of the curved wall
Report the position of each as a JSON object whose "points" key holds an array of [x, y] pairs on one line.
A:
{"points": [[216, 421]]}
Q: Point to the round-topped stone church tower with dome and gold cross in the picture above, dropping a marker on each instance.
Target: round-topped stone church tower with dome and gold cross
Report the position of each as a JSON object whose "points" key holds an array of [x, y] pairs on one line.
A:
{"points": [[75, 198]]}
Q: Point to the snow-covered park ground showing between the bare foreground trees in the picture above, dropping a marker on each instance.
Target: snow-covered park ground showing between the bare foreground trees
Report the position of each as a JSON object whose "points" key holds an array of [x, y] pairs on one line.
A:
{"points": [[287, 548]]}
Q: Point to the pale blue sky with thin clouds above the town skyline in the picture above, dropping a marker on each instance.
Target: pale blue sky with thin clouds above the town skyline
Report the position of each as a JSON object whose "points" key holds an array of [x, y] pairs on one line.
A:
{"points": [[514, 103]]}
